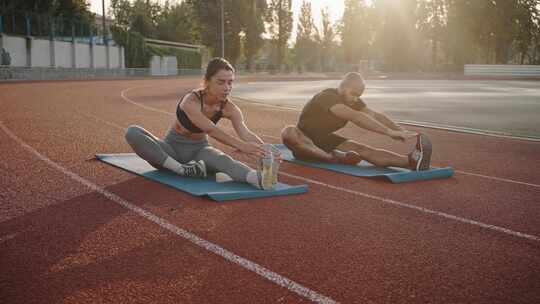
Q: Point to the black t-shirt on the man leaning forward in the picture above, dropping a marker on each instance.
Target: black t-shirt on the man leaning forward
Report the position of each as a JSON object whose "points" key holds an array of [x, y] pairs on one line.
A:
{"points": [[316, 117]]}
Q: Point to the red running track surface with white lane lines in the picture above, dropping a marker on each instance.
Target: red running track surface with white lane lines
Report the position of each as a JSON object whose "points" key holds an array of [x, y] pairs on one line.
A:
{"points": [[75, 230]]}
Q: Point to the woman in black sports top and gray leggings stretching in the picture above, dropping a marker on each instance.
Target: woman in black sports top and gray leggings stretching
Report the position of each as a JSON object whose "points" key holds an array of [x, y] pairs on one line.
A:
{"points": [[185, 149]]}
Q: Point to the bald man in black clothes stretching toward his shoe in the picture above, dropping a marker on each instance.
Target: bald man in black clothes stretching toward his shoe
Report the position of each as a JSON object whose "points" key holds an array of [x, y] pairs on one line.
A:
{"points": [[330, 110]]}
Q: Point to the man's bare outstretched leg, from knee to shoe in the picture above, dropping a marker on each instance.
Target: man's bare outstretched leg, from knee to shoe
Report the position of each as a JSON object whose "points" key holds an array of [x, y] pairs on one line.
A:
{"points": [[378, 157]]}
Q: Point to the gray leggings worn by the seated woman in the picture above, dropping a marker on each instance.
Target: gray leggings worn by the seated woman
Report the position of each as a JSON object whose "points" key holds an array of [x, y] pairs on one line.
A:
{"points": [[183, 150]]}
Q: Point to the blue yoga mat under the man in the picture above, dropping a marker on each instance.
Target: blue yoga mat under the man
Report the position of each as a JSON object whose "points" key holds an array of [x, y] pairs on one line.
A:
{"points": [[365, 169]]}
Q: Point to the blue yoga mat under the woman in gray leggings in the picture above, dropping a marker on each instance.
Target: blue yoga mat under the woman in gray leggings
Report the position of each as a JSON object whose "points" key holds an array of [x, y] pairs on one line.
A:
{"points": [[199, 187]]}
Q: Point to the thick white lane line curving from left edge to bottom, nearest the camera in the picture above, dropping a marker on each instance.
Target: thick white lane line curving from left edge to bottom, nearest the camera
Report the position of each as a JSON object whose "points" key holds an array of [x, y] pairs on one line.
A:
{"points": [[214, 248]]}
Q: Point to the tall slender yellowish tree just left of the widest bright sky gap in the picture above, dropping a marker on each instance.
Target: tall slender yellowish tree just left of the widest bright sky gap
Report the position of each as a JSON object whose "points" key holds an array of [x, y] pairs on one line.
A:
{"points": [[280, 22]]}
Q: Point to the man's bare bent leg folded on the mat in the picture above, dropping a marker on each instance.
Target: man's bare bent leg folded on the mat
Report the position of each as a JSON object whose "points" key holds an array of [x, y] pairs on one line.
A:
{"points": [[303, 147]]}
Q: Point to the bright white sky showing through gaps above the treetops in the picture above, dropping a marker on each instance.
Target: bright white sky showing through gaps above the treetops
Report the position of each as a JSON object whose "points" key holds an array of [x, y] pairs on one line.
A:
{"points": [[336, 8]]}
